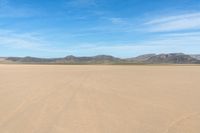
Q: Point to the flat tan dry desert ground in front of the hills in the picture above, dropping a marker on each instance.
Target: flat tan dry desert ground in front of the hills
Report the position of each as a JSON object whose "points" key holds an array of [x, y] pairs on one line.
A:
{"points": [[99, 99]]}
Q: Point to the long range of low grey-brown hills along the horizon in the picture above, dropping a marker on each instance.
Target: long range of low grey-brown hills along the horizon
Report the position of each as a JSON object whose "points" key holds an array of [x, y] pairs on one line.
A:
{"points": [[172, 58]]}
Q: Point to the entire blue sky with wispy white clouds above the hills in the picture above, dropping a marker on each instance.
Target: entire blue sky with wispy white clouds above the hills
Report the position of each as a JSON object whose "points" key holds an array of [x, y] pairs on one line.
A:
{"points": [[122, 28]]}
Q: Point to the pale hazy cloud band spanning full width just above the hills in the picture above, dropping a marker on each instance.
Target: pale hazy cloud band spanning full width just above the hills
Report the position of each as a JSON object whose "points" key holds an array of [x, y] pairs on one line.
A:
{"points": [[176, 42]]}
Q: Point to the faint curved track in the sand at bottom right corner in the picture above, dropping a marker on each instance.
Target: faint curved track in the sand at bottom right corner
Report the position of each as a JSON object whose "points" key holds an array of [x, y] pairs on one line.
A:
{"points": [[178, 121]]}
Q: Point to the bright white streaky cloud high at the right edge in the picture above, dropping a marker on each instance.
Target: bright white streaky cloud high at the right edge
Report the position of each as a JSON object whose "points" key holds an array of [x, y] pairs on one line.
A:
{"points": [[189, 21]]}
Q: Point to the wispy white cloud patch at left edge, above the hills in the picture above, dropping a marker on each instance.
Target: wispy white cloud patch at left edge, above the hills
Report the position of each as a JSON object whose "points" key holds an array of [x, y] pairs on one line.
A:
{"points": [[29, 42]]}
